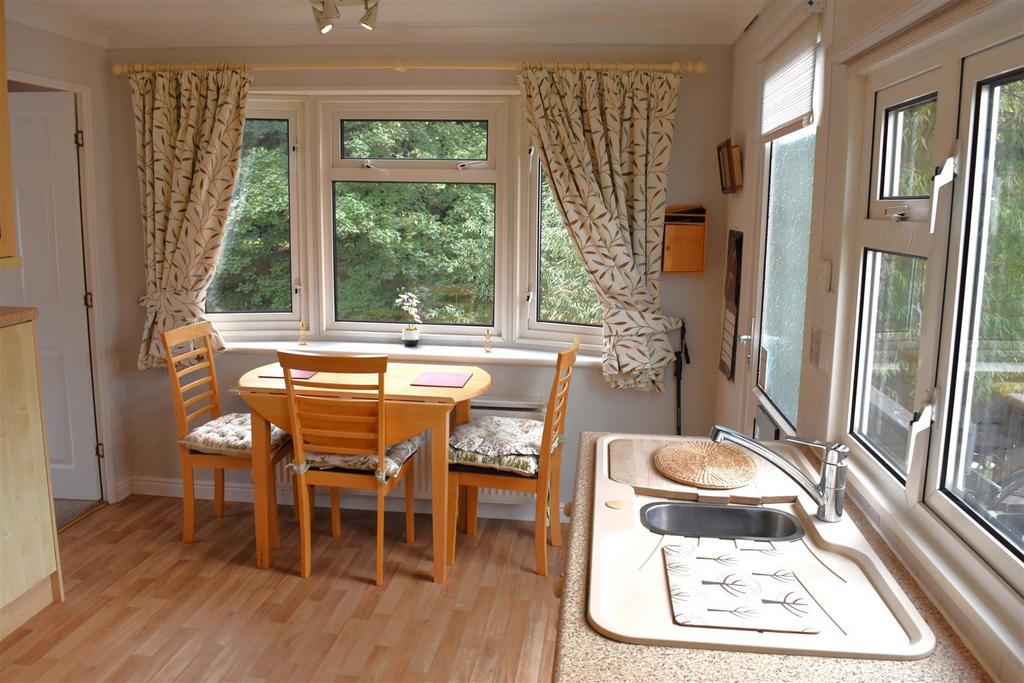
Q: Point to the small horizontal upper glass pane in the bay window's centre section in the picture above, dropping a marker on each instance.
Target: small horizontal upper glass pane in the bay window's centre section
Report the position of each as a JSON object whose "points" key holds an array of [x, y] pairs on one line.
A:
{"points": [[456, 141]]}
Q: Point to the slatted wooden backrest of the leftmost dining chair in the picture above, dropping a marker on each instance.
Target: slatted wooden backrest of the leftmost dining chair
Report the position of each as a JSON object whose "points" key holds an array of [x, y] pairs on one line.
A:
{"points": [[193, 375]]}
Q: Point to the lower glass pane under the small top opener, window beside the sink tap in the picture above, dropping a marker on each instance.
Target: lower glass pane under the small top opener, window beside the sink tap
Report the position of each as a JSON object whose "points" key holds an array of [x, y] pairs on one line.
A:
{"points": [[892, 302]]}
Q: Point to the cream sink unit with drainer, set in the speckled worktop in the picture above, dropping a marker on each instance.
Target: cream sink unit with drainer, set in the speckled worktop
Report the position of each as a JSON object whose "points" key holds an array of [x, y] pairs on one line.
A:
{"points": [[763, 577]]}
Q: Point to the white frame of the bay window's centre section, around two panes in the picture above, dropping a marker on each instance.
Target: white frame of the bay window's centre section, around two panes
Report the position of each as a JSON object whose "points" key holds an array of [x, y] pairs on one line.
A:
{"points": [[495, 172]]}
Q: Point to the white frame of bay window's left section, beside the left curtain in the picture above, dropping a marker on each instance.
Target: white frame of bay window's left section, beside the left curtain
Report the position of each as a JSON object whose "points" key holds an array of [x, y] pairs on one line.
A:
{"points": [[263, 326]]}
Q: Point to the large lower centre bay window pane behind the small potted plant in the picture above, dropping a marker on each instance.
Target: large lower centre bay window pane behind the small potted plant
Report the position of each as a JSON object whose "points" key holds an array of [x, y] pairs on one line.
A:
{"points": [[436, 239]]}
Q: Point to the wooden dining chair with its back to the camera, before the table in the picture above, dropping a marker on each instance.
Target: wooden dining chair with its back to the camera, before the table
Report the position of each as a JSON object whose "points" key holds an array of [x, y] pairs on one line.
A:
{"points": [[338, 428]]}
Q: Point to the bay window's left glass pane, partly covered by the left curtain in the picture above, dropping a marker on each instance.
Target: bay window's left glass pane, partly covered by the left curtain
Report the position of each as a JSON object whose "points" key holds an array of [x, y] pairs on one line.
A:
{"points": [[254, 272]]}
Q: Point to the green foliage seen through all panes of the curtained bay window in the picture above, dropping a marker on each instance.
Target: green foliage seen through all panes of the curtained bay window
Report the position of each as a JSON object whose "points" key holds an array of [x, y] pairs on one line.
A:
{"points": [[434, 239]]}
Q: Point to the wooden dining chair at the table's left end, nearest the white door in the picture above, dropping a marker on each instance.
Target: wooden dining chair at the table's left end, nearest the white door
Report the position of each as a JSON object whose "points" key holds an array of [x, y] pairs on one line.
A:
{"points": [[222, 442]]}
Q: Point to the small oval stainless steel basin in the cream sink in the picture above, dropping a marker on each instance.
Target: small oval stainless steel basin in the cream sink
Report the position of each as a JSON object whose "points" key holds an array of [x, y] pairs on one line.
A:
{"points": [[721, 522]]}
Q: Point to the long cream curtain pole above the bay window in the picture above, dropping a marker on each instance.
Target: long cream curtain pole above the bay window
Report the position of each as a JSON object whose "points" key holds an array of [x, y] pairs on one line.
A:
{"points": [[698, 67]]}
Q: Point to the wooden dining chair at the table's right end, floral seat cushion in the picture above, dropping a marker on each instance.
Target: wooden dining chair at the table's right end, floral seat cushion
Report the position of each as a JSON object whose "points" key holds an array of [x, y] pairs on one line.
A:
{"points": [[515, 454]]}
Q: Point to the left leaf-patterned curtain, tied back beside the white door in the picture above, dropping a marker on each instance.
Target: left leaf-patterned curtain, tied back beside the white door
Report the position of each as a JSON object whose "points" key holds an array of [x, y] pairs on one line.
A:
{"points": [[189, 139]]}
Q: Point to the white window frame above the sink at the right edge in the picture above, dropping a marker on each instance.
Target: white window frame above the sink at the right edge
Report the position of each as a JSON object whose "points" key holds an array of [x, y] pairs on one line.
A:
{"points": [[986, 568]]}
